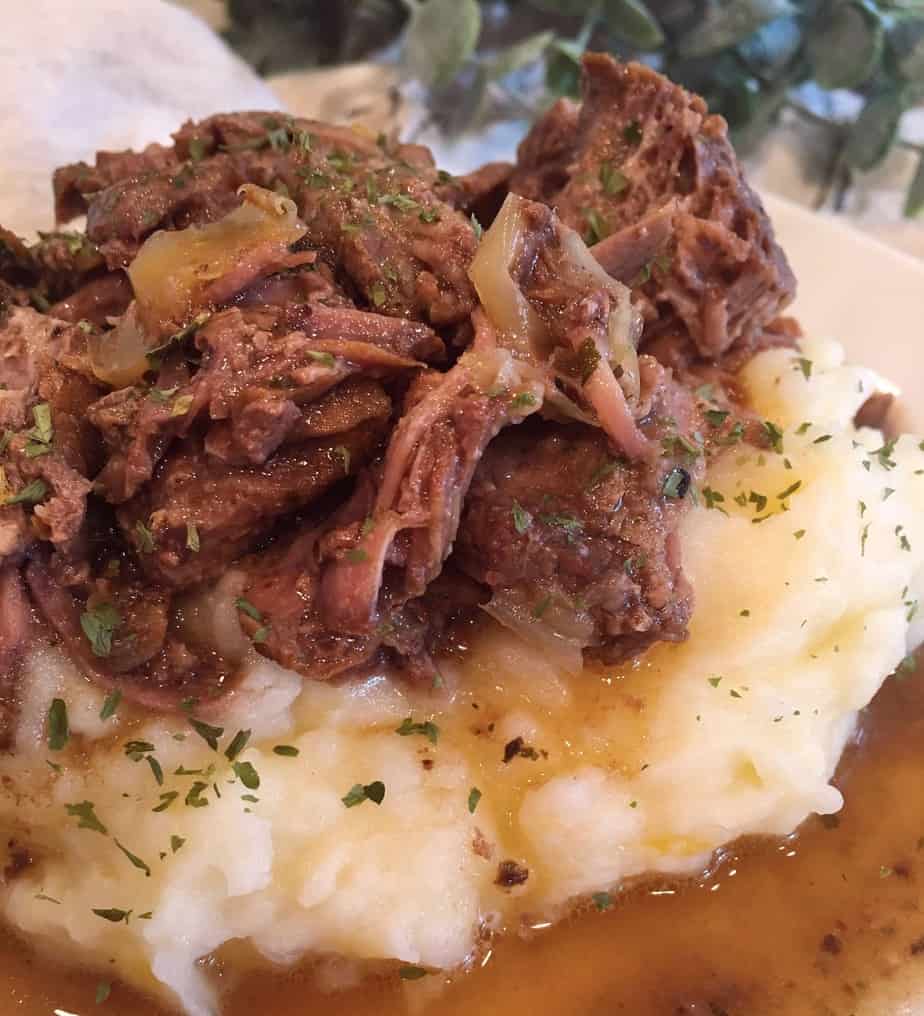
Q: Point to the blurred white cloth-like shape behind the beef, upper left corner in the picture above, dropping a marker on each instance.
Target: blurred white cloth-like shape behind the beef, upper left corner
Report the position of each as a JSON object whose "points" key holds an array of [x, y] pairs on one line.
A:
{"points": [[111, 77]]}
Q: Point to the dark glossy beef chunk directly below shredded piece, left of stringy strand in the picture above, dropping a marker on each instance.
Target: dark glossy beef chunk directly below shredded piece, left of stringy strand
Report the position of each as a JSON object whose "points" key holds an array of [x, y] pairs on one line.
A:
{"points": [[199, 514]]}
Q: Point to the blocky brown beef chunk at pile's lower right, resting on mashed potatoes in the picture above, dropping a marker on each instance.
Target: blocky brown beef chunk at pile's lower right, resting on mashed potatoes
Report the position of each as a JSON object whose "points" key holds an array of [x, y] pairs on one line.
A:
{"points": [[571, 539]]}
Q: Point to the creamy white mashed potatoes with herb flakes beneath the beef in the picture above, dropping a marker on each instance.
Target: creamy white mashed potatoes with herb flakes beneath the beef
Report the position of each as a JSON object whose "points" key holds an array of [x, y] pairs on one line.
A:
{"points": [[808, 566]]}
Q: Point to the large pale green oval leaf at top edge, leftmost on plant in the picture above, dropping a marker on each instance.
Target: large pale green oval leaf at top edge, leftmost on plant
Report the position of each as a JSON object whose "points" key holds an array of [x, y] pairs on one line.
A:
{"points": [[442, 37]]}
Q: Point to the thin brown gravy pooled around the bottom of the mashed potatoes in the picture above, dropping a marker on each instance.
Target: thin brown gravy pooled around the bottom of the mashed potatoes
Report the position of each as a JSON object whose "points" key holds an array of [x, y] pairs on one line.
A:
{"points": [[819, 924]]}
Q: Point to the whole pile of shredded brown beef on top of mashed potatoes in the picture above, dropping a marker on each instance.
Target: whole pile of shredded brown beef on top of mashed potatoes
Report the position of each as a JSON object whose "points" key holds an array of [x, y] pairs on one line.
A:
{"points": [[336, 435]]}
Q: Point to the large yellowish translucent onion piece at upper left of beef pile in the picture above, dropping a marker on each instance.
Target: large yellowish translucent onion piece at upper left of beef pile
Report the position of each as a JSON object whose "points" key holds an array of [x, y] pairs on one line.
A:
{"points": [[175, 268]]}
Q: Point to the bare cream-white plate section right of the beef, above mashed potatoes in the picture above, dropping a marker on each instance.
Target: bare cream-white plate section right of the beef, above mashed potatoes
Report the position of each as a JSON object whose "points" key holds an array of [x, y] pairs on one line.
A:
{"points": [[867, 296]]}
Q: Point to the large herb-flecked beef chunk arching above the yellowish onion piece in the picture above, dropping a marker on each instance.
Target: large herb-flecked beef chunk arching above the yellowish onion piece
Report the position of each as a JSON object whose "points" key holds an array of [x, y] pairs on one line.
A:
{"points": [[373, 210]]}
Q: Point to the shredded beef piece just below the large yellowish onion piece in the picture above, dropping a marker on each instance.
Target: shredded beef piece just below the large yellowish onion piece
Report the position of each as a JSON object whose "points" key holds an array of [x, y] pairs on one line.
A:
{"points": [[249, 372]]}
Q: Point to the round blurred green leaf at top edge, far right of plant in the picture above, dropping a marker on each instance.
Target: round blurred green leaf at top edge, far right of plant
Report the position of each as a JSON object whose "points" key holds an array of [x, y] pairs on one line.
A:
{"points": [[845, 45]]}
